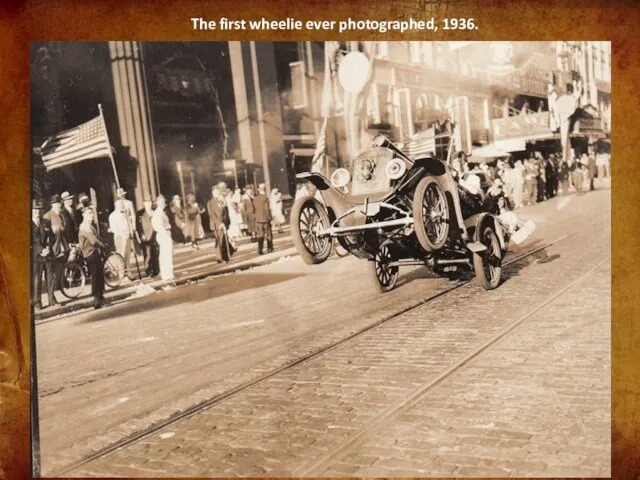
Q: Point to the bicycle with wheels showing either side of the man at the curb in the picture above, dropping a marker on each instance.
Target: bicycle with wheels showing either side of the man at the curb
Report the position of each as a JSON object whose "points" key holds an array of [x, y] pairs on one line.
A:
{"points": [[75, 274]]}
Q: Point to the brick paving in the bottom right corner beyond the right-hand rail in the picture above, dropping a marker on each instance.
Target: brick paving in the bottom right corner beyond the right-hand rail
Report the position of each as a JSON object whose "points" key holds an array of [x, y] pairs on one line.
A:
{"points": [[535, 405]]}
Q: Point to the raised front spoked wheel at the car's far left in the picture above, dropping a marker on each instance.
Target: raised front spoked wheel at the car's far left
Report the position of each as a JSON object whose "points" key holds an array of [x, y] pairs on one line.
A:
{"points": [[308, 218]]}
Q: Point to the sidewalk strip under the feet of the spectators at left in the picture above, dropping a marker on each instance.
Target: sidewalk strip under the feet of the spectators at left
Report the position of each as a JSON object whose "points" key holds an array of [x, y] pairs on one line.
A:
{"points": [[132, 289]]}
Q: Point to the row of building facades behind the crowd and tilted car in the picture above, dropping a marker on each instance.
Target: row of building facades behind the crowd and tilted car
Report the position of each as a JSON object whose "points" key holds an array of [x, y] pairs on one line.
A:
{"points": [[182, 116]]}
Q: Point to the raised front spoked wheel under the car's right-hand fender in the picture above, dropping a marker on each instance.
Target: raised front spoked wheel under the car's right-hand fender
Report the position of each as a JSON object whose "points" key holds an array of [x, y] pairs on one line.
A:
{"points": [[431, 214]]}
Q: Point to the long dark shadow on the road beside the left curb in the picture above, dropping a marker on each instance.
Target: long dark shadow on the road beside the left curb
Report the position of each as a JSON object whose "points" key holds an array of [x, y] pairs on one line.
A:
{"points": [[191, 294]]}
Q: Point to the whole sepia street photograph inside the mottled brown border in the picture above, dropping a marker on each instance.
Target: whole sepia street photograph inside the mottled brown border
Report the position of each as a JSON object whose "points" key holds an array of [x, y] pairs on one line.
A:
{"points": [[321, 259]]}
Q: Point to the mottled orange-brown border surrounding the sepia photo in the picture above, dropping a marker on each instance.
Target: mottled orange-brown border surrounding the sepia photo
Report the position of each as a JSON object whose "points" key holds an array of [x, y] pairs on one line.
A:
{"points": [[22, 22]]}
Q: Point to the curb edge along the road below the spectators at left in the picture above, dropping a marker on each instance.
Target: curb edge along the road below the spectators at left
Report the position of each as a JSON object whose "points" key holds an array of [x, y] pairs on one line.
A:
{"points": [[157, 285]]}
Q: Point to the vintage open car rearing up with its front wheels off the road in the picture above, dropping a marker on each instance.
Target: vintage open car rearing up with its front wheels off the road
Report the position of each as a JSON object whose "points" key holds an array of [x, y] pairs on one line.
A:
{"points": [[394, 211]]}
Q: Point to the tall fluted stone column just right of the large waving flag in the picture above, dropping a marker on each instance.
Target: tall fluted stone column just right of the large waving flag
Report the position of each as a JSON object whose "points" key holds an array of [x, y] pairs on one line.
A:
{"points": [[131, 104]]}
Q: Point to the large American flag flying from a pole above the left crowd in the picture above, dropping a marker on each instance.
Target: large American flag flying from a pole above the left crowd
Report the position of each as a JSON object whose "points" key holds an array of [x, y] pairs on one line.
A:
{"points": [[85, 141]]}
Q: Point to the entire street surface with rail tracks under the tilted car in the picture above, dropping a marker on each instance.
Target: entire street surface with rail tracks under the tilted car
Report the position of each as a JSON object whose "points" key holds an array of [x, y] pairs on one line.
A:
{"points": [[536, 402]]}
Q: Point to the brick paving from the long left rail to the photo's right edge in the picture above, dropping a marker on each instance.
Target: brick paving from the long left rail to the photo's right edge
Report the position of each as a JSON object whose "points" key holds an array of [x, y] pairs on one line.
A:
{"points": [[536, 403]]}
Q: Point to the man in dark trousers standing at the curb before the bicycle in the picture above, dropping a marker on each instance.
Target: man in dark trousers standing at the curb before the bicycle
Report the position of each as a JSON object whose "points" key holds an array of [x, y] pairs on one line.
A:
{"points": [[93, 252]]}
